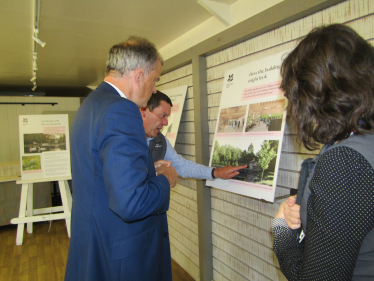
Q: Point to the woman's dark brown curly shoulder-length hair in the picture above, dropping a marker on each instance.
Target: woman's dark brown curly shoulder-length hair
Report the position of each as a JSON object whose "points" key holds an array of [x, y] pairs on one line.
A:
{"points": [[329, 83]]}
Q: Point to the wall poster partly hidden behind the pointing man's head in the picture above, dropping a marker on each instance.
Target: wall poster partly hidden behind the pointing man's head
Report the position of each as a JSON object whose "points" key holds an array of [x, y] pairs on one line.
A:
{"points": [[177, 96]]}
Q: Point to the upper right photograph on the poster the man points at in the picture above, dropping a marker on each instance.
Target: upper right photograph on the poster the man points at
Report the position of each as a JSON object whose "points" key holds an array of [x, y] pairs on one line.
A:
{"points": [[265, 116]]}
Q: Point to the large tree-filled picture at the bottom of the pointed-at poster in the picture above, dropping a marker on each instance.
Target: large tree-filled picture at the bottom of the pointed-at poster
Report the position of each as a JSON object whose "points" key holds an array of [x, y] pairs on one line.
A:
{"points": [[258, 154]]}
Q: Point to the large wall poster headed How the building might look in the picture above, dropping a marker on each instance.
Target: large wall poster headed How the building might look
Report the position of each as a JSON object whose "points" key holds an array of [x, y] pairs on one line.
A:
{"points": [[250, 127]]}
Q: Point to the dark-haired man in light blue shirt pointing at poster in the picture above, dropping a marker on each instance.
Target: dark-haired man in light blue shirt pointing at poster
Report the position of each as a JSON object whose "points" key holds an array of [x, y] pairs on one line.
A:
{"points": [[155, 117]]}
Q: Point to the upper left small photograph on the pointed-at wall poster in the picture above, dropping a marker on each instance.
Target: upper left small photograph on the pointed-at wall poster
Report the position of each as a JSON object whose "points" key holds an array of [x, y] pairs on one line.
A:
{"points": [[232, 119]]}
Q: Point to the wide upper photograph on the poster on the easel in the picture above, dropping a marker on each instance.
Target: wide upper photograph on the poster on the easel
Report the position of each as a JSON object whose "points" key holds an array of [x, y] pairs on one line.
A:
{"points": [[37, 143]]}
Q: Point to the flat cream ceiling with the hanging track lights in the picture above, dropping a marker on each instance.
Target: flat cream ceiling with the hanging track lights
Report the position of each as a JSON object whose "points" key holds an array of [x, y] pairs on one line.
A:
{"points": [[78, 35]]}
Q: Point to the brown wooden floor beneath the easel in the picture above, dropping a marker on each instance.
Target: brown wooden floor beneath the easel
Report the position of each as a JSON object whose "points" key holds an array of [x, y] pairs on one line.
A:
{"points": [[42, 257]]}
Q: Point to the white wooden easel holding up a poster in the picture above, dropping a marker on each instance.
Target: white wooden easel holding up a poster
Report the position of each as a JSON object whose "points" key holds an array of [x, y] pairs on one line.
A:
{"points": [[27, 214]]}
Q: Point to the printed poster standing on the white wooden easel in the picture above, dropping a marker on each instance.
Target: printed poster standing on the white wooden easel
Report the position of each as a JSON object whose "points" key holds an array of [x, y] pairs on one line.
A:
{"points": [[44, 146]]}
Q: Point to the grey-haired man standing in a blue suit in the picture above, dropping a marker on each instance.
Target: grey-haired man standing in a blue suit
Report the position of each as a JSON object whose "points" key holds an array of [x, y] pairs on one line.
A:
{"points": [[119, 227]]}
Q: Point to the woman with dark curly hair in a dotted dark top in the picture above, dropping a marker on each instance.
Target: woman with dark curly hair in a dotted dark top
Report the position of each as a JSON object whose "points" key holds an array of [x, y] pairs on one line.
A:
{"points": [[329, 83]]}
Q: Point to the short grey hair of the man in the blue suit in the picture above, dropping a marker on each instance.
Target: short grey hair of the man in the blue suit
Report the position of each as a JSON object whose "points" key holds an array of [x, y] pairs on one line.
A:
{"points": [[135, 53]]}
